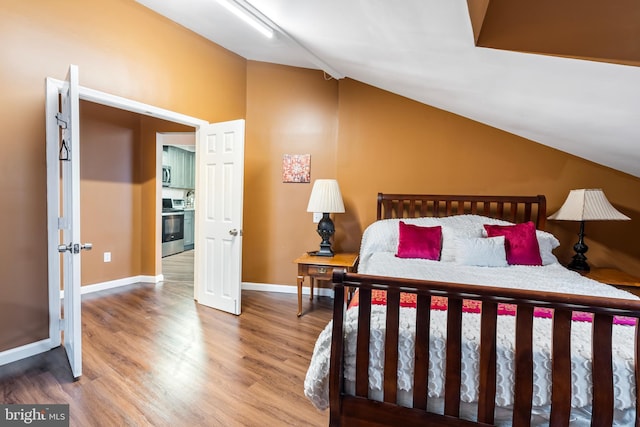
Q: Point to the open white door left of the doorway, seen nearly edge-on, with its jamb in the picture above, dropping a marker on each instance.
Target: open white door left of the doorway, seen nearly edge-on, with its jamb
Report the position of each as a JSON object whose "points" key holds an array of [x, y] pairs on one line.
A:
{"points": [[63, 198]]}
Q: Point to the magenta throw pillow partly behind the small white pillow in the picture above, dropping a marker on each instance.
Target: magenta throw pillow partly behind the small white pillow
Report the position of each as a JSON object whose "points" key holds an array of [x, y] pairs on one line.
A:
{"points": [[521, 242]]}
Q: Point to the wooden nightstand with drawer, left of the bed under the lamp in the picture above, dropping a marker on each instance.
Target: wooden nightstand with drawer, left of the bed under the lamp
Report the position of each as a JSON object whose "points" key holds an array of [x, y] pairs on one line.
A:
{"points": [[321, 268]]}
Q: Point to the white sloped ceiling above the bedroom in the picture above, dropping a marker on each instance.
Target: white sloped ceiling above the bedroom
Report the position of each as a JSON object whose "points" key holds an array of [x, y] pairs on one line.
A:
{"points": [[424, 50]]}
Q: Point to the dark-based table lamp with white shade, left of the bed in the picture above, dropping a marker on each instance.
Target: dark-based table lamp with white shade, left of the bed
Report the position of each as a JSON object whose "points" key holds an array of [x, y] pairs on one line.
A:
{"points": [[326, 199]]}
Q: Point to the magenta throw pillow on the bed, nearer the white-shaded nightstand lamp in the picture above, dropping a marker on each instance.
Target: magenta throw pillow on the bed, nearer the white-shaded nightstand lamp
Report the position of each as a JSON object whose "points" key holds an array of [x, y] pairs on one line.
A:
{"points": [[419, 242]]}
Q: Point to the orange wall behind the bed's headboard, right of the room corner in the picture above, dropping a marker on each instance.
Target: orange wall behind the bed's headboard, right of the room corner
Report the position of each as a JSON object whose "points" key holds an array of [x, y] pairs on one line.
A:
{"points": [[390, 144]]}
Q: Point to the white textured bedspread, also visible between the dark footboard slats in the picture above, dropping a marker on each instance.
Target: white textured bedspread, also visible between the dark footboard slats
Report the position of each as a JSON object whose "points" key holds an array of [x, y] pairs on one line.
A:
{"points": [[551, 278]]}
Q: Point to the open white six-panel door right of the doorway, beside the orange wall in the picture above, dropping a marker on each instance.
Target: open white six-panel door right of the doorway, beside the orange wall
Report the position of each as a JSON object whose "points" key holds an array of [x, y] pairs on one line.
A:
{"points": [[219, 183]]}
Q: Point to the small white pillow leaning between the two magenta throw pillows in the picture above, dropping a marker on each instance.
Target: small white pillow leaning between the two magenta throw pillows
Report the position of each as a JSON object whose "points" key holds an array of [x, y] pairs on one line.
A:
{"points": [[481, 251]]}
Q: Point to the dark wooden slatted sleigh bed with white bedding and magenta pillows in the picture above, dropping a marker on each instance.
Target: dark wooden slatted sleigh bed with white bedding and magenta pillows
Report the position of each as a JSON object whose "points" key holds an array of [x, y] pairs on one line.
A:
{"points": [[465, 339]]}
